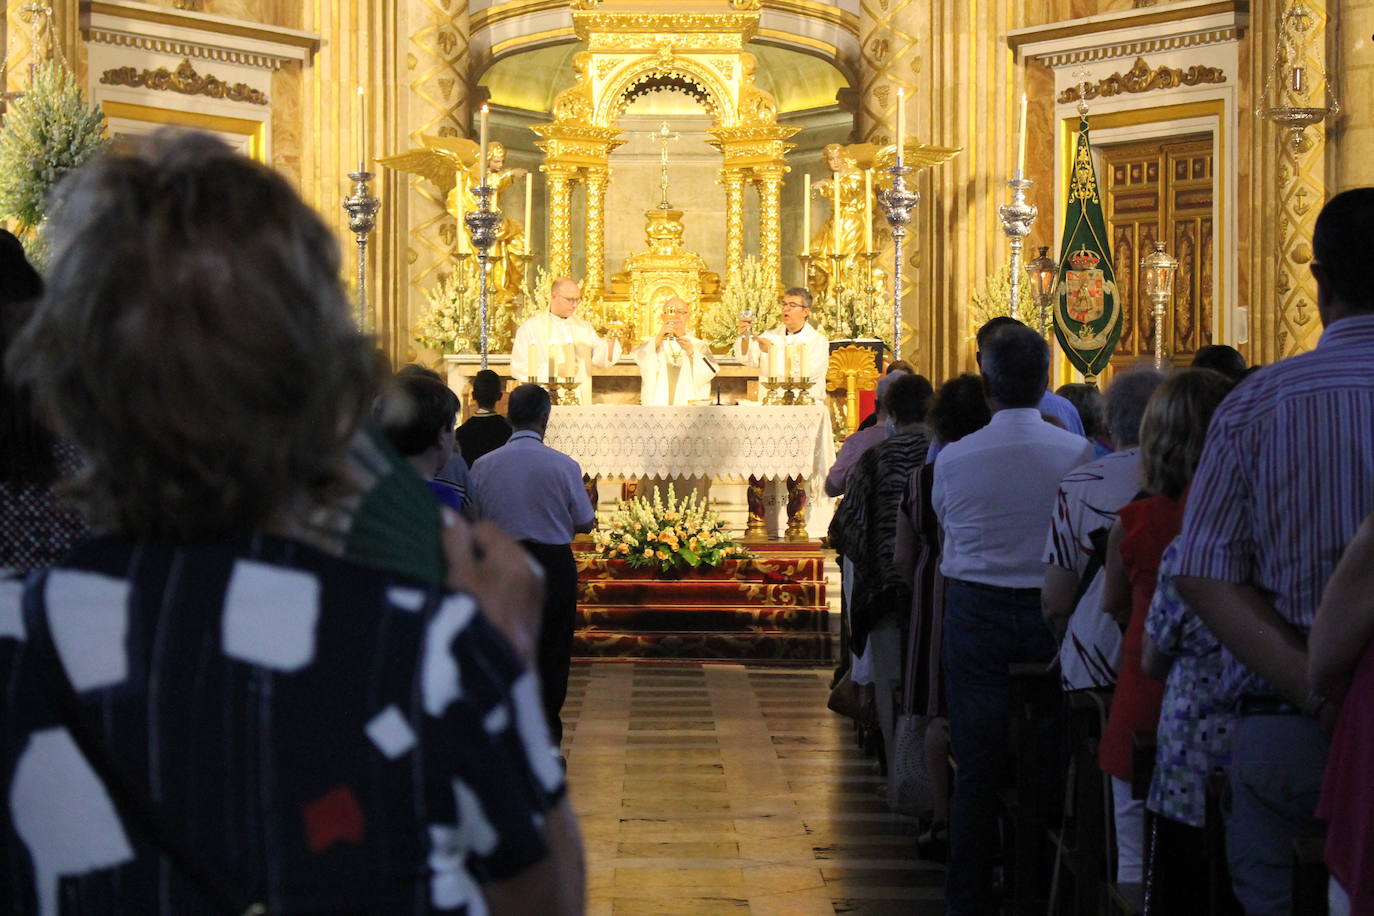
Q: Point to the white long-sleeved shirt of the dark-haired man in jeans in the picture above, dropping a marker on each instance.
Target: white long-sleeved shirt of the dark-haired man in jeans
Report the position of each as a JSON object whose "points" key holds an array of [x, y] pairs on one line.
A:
{"points": [[994, 494]]}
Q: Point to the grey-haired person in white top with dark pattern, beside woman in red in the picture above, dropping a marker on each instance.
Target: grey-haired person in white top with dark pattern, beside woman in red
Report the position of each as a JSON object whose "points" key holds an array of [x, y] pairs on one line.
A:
{"points": [[1075, 550]]}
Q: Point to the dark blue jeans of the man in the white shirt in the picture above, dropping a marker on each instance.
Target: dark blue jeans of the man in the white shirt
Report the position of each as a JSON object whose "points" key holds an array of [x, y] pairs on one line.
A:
{"points": [[984, 632]]}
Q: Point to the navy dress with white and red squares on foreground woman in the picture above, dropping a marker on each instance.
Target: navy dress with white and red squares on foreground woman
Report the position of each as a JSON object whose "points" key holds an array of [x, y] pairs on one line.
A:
{"points": [[332, 738]]}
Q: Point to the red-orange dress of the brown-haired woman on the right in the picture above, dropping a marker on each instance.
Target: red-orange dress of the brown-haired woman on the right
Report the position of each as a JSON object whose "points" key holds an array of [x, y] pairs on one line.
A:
{"points": [[1151, 524]]}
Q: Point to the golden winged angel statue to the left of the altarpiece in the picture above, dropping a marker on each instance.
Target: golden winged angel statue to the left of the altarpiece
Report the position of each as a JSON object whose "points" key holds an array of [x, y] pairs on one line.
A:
{"points": [[450, 164]]}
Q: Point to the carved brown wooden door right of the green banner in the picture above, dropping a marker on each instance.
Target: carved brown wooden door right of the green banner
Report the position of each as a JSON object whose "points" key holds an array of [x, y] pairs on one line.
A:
{"points": [[1163, 190]]}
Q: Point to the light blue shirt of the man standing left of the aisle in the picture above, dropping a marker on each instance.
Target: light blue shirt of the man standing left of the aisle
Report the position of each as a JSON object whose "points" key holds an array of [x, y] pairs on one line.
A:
{"points": [[532, 492]]}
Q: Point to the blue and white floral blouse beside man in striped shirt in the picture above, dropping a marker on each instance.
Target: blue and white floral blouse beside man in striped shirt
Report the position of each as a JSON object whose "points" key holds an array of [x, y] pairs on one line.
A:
{"points": [[1195, 735]]}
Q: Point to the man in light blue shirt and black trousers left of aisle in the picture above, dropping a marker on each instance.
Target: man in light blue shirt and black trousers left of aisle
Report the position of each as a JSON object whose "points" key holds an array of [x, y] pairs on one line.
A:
{"points": [[535, 494]]}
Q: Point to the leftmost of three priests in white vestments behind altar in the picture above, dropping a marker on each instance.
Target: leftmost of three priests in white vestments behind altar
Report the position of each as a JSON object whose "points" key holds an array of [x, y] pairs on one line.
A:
{"points": [[560, 344]]}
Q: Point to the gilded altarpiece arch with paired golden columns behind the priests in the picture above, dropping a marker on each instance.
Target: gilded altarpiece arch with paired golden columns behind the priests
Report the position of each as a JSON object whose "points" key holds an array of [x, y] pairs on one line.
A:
{"points": [[629, 56]]}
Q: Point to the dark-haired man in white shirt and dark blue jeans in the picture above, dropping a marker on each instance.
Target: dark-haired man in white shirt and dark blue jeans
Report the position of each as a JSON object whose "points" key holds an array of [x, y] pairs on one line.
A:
{"points": [[993, 492]]}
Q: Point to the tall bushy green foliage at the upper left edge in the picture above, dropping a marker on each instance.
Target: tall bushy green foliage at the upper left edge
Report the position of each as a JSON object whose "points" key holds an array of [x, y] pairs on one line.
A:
{"points": [[47, 134]]}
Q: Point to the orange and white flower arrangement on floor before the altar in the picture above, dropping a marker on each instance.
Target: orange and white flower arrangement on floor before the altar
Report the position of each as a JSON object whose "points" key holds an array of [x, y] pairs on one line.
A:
{"points": [[671, 535]]}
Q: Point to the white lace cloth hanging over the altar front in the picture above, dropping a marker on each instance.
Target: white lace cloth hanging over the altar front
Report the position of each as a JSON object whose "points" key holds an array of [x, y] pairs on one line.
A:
{"points": [[722, 443]]}
